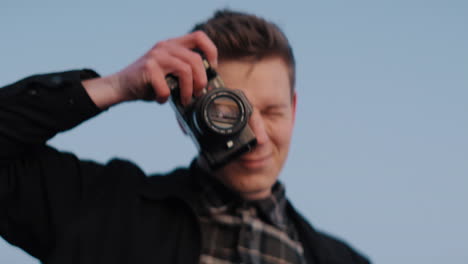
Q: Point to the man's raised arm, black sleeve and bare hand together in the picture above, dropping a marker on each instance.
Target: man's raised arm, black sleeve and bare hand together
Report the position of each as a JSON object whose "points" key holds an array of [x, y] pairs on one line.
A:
{"points": [[42, 189]]}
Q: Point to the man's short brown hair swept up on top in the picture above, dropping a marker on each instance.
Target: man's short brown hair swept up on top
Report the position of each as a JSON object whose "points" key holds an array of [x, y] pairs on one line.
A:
{"points": [[240, 35]]}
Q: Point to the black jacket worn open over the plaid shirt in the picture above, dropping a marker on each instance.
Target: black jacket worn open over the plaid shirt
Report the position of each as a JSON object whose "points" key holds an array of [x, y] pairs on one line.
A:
{"points": [[64, 210]]}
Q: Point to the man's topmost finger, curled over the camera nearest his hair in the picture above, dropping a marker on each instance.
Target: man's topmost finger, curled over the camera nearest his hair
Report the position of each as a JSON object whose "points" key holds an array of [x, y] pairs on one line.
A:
{"points": [[200, 40]]}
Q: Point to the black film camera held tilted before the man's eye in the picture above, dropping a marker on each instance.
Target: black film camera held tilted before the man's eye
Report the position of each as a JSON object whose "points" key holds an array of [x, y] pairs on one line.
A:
{"points": [[217, 121]]}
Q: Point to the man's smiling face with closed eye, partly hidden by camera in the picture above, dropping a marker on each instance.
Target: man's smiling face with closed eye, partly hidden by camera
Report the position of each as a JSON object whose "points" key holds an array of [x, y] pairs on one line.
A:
{"points": [[267, 86]]}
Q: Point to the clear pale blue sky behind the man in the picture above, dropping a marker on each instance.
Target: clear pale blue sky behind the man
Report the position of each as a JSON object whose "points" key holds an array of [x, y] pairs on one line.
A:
{"points": [[380, 149]]}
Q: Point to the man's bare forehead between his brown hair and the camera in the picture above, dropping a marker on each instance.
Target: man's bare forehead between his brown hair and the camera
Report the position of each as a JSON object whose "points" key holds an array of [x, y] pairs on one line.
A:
{"points": [[264, 82]]}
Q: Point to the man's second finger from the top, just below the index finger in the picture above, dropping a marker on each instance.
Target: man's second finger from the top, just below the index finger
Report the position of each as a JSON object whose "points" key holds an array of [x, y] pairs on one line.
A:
{"points": [[195, 61]]}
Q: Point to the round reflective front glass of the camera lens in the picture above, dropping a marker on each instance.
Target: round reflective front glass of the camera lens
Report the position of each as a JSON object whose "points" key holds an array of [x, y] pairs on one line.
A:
{"points": [[223, 112]]}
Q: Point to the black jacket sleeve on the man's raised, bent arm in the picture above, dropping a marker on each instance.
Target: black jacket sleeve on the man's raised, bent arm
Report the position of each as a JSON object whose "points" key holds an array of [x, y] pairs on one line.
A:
{"points": [[40, 188]]}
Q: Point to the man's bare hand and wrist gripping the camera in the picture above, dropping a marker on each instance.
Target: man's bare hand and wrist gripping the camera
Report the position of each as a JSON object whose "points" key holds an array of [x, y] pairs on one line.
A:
{"points": [[145, 78]]}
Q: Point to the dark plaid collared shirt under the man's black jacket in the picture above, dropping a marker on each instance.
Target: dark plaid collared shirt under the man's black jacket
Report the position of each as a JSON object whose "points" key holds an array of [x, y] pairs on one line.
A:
{"points": [[239, 231]]}
